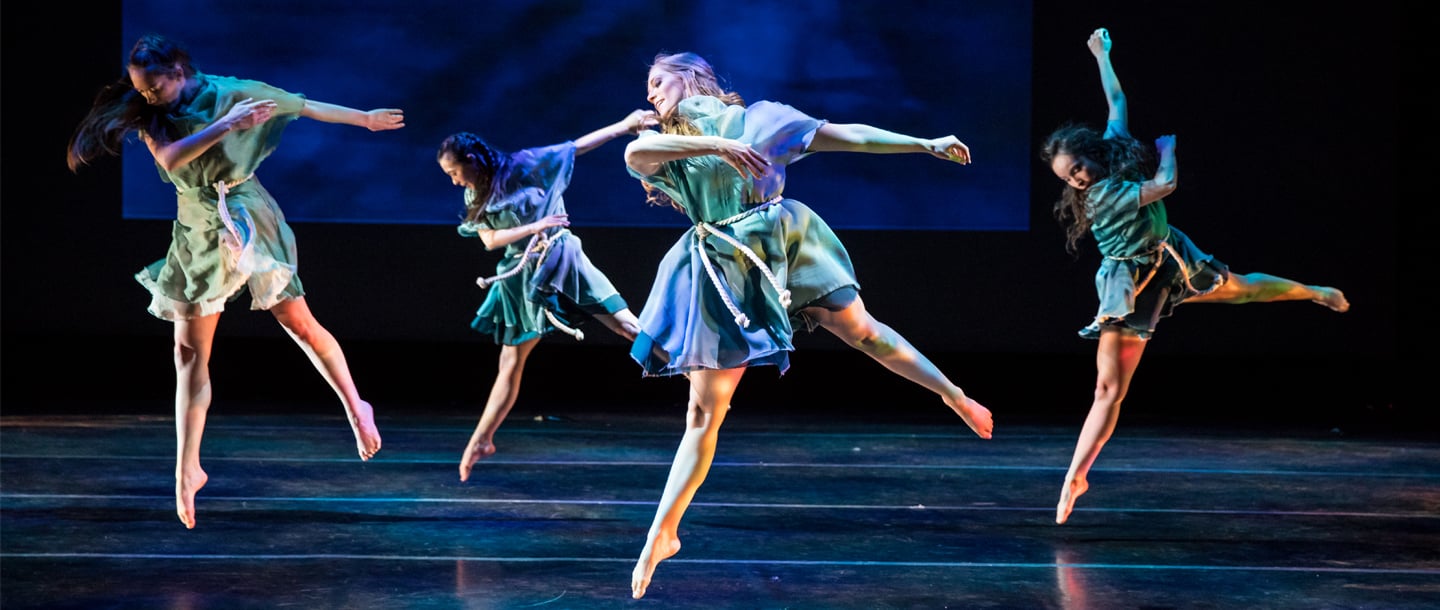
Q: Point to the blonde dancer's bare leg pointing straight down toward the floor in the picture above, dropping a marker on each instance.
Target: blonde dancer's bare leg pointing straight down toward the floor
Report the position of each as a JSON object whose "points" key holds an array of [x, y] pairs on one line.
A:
{"points": [[711, 395]]}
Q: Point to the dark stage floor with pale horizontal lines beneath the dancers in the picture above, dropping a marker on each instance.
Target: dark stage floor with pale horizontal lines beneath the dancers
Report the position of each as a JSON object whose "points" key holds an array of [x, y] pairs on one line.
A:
{"points": [[801, 511]]}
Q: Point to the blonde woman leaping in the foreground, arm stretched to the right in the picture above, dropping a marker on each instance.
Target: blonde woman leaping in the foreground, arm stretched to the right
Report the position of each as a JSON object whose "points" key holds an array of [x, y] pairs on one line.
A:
{"points": [[754, 264]]}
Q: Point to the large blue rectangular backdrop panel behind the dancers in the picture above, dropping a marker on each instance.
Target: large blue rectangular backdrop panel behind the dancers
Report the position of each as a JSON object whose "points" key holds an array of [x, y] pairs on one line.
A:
{"points": [[532, 73]]}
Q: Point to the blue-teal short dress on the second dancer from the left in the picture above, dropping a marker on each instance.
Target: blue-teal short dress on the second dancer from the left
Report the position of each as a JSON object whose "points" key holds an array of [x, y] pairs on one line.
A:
{"points": [[545, 284]]}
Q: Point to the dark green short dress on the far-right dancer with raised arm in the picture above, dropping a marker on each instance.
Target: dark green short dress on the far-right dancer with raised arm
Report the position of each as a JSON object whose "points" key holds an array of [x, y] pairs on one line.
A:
{"points": [[1150, 267]]}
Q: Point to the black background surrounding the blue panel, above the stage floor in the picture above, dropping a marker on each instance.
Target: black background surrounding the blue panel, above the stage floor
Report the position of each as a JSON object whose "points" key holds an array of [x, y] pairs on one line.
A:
{"points": [[1288, 123]]}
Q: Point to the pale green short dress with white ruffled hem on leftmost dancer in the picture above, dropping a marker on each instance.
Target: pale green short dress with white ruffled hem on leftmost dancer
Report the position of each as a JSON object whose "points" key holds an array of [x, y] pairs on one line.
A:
{"points": [[230, 234]]}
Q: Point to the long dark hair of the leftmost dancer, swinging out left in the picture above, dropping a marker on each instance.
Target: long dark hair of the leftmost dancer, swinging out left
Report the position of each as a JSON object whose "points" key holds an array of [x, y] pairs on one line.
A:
{"points": [[120, 110]]}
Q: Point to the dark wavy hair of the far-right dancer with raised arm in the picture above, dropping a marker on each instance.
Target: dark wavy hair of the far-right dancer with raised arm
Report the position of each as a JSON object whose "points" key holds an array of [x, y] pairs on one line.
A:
{"points": [[1121, 158]]}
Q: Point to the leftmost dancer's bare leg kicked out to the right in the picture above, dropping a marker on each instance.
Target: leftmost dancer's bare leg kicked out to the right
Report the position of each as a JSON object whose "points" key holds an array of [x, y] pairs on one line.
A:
{"points": [[328, 358]]}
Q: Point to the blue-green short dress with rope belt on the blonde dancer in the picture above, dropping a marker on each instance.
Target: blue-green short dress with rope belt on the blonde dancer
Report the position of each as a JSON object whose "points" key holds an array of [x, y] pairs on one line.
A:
{"points": [[728, 294]]}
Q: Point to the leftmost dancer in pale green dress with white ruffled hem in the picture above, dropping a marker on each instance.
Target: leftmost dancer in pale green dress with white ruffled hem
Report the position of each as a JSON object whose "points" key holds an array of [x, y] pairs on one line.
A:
{"points": [[208, 136]]}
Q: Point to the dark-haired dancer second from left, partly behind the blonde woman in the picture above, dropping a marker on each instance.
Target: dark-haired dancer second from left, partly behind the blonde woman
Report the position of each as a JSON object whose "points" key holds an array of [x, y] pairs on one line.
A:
{"points": [[545, 283]]}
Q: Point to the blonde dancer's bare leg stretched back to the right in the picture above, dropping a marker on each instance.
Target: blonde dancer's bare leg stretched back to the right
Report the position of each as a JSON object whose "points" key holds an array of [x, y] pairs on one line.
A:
{"points": [[865, 333]]}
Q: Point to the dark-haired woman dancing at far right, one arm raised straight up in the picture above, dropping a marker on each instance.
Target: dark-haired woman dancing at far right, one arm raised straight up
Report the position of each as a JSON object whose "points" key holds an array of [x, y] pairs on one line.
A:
{"points": [[1150, 267]]}
